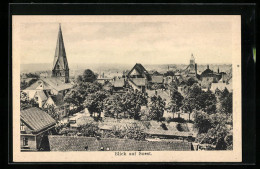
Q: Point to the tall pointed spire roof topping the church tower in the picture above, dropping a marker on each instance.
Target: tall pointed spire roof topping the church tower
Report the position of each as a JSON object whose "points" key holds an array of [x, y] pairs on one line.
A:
{"points": [[60, 59]]}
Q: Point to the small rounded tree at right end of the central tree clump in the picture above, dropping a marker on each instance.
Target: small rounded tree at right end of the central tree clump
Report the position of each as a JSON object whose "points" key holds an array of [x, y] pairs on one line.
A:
{"points": [[156, 108]]}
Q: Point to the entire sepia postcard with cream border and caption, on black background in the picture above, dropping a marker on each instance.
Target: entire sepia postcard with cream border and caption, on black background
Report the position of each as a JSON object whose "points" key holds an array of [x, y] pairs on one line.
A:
{"points": [[127, 88]]}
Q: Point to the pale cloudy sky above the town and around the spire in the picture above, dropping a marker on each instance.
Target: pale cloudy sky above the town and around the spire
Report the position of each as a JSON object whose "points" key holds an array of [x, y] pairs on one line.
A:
{"points": [[129, 40]]}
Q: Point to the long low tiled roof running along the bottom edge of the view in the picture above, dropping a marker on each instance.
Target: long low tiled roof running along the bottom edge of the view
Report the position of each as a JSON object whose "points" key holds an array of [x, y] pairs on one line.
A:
{"points": [[69, 143]]}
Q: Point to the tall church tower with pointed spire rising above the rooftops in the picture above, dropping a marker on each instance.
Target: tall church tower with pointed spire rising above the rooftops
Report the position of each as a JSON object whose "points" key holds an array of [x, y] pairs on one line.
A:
{"points": [[60, 67]]}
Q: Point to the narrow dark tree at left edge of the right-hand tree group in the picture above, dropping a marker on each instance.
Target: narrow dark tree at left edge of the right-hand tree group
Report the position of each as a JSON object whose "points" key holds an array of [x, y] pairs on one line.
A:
{"points": [[176, 102]]}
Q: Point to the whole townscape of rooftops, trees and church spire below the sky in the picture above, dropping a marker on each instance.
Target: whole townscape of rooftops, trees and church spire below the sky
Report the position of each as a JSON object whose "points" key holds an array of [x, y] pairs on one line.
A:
{"points": [[130, 107]]}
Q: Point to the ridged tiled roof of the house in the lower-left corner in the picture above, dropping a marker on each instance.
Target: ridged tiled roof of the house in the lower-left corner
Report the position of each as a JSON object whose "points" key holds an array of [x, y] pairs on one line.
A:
{"points": [[37, 119]]}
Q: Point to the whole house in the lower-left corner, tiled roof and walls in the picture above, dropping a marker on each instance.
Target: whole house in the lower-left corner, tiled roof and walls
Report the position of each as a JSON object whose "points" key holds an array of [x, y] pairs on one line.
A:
{"points": [[35, 125]]}
